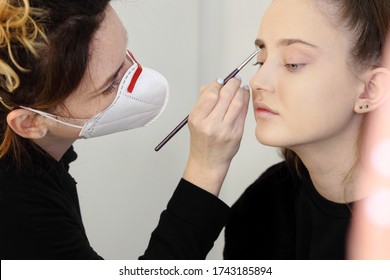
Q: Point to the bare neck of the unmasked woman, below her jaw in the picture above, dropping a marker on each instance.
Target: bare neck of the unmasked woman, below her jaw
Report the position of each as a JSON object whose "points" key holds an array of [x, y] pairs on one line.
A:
{"points": [[333, 167]]}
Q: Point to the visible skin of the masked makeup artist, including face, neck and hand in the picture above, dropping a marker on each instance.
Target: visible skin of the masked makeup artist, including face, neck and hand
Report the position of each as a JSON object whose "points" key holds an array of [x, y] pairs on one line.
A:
{"points": [[219, 114]]}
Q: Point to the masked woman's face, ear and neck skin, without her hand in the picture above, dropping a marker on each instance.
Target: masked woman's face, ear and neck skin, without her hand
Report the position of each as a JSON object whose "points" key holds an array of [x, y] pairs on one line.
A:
{"points": [[108, 56]]}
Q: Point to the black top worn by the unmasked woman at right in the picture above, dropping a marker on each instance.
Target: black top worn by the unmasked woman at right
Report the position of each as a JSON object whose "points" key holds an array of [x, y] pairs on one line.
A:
{"points": [[281, 216]]}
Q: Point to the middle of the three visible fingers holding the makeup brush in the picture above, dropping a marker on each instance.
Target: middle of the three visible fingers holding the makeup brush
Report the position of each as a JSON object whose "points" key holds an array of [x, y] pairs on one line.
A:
{"points": [[226, 95]]}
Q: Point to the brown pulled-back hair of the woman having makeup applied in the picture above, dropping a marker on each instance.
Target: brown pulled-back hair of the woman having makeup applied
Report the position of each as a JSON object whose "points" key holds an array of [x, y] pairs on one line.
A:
{"points": [[369, 22]]}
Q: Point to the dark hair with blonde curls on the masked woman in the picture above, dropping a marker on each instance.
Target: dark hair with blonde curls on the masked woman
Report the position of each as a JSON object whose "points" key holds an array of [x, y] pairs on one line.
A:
{"points": [[44, 52]]}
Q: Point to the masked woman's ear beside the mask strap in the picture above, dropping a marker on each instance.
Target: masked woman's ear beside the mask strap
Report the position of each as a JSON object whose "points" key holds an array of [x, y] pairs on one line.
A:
{"points": [[26, 124]]}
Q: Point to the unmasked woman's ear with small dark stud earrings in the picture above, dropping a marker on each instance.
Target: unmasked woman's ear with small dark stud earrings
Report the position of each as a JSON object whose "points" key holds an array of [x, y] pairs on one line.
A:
{"points": [[376, 91]]}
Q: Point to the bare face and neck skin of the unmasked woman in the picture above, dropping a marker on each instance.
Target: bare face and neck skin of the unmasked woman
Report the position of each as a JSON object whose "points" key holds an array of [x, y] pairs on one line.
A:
{"points": [[307, 96]]}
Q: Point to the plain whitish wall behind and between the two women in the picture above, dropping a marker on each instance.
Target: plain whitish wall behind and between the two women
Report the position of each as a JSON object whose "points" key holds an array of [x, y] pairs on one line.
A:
{"points": [[123, 183]]}
